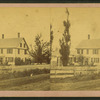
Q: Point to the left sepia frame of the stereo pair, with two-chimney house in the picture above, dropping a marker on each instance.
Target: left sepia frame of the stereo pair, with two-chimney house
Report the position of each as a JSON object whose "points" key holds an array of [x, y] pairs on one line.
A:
{"points": [[25, 49]]}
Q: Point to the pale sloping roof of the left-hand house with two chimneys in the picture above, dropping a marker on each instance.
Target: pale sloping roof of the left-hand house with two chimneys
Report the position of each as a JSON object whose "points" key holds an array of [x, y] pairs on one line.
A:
{"points": [[10, 42]]}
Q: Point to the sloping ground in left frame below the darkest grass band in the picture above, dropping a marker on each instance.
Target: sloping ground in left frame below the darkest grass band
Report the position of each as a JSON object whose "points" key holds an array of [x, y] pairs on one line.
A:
{"points": [[36, 82]]}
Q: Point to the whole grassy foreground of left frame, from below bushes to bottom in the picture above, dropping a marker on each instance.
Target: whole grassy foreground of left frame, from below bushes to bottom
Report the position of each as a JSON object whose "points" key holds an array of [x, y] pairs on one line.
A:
{"points": [[28, 78]]}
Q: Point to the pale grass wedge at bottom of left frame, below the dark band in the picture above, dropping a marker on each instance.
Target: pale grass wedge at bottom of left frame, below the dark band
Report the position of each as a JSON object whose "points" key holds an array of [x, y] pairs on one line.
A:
{"points": [[43, 85]]}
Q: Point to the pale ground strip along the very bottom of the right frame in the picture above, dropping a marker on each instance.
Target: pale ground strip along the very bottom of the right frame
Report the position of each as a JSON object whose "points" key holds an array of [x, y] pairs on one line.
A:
{"points": [[76, 86]]}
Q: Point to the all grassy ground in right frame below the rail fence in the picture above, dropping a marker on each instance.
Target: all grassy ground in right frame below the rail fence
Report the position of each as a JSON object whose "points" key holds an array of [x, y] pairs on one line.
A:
{"points": [[77, 83]]}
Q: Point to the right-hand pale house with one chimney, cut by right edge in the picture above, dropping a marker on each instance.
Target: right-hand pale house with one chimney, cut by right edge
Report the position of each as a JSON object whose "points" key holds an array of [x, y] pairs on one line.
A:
{"points": [[90, 50]]}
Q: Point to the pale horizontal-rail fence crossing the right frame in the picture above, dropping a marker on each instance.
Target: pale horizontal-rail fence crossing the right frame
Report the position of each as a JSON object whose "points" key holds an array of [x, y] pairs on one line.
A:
{"points": [[65, 72]]}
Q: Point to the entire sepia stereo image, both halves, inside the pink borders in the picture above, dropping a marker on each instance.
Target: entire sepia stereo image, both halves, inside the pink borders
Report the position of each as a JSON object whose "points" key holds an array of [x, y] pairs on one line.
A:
{"points": [[49, 49]]}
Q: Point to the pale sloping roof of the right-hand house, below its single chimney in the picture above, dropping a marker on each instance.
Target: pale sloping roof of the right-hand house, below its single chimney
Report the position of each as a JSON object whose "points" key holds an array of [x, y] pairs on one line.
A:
{"points": [[91, 43]]}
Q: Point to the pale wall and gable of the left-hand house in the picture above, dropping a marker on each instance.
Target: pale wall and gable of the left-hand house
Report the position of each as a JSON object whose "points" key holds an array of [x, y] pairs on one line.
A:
{"points": [[15, 54]]}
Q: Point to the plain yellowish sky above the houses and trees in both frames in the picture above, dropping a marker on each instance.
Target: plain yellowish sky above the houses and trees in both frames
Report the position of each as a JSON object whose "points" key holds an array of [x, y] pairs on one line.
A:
{"points": [[32, 21]]}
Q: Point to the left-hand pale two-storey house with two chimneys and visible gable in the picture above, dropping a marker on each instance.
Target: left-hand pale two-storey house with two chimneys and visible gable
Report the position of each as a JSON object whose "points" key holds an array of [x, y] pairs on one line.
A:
{"points": [[12, 48]]}
